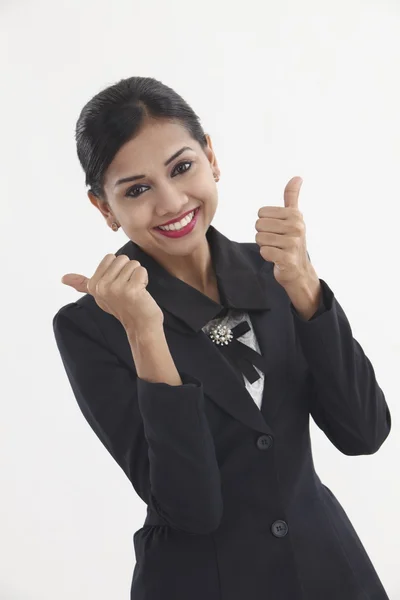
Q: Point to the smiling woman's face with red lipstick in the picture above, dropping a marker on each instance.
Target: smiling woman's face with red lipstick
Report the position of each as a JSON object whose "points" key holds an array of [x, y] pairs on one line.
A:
{"points": [[163, 192]]}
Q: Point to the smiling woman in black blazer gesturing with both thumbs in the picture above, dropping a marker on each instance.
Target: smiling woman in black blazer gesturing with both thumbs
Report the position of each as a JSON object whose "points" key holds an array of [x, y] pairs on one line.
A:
{"points": [[198, 361]]}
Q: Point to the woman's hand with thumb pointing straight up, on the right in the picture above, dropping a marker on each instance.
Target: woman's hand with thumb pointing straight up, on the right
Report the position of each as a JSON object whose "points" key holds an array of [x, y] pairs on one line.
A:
{"points": [[282, 237]]}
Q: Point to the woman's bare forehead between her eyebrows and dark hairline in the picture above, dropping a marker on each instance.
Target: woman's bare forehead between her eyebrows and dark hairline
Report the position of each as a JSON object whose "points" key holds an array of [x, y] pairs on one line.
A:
{"points": [[149, 149]]}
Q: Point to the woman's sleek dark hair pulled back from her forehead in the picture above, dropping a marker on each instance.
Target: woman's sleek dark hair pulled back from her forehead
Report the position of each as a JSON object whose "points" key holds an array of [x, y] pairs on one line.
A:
{"points": [[116, 114]]}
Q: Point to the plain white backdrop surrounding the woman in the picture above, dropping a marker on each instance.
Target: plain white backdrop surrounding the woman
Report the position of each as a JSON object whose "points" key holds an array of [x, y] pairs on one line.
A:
{"points": [[304, 88]]}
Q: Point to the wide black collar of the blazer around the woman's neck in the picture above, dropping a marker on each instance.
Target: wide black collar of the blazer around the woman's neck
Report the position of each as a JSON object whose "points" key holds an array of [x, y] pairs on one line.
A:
{"points": [[239, 270]]}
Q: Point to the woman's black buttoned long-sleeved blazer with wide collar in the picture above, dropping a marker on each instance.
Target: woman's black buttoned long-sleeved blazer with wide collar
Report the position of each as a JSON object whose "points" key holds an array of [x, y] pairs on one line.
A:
{"points": [[235, 509]]}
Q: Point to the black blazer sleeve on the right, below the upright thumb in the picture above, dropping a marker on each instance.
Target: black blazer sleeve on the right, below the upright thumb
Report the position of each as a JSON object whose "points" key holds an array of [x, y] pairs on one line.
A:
{"points": [[346, 401]]}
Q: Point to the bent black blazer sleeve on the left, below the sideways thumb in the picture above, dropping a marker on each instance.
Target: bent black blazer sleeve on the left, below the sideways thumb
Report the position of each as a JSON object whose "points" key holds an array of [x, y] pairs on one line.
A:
{"points": [[157, 433]]}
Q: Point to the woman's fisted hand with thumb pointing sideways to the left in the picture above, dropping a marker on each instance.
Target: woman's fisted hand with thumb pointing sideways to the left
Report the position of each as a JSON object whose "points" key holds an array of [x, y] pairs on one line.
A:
{"points": [[119, 288]]}
